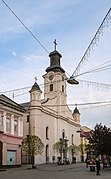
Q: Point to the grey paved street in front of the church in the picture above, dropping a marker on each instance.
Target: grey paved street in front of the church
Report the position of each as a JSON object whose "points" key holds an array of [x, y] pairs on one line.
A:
{"points": [[54, 171]]}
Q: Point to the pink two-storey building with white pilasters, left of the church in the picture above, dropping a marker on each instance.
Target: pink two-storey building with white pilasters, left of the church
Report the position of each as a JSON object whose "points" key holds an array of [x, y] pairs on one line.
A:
{"points": [[11, 132]]}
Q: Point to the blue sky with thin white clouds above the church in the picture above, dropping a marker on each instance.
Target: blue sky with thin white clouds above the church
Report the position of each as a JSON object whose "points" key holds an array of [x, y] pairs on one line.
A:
{"points": [[73, 23]]}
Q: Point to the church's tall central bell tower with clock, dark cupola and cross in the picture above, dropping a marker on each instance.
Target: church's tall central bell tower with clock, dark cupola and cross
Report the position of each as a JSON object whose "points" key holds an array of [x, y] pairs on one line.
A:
{"points": [[55, 78]]}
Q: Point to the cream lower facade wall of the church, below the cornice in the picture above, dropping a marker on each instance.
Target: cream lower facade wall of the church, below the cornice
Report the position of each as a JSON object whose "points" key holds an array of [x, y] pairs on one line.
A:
{"points": [[44, 119]]}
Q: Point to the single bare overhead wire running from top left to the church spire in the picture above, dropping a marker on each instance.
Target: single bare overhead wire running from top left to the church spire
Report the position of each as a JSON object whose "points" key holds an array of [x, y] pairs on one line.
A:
{"points": [[25, 26]]}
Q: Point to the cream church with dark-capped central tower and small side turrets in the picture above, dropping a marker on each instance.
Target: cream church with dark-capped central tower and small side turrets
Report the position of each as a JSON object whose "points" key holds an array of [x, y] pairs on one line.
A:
{"points": [[50, 118]]}
